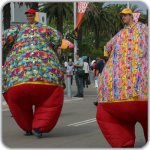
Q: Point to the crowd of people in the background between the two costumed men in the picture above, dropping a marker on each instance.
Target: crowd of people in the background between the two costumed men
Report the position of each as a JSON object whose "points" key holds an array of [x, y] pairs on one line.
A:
{"points": [[95, 67]]}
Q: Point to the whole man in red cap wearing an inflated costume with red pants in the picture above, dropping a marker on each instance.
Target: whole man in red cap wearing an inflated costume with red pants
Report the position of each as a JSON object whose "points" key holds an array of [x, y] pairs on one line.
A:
{"points": [[32, 75]]}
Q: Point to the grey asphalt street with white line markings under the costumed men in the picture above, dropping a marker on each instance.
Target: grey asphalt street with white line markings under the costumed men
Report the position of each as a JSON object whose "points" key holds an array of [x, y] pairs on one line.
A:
{"points": [[76, 127]]}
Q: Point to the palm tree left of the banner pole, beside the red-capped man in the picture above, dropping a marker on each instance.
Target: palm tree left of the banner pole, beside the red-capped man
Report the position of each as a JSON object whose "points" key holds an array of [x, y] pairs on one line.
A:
{"points": [[58, 11]]}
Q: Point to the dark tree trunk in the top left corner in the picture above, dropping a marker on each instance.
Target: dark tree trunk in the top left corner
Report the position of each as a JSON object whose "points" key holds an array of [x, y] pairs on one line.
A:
{"points": [[6, 16]]}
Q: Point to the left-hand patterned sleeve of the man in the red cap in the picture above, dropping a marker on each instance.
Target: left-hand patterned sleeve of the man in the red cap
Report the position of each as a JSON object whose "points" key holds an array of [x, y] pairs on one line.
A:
{"points": [[9, 35]]}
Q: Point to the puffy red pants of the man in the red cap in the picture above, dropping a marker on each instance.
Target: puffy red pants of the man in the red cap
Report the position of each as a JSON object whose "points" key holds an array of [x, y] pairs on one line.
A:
{"points": [[48, 101]]}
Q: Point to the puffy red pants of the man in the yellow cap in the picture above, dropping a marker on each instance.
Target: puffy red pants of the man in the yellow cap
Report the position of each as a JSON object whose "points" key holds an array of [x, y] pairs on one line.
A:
{"points": [[117, 121]]}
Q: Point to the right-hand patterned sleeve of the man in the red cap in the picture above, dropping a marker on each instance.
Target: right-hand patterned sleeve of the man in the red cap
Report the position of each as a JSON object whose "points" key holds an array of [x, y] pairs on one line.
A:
{"points": [[55, 38]]}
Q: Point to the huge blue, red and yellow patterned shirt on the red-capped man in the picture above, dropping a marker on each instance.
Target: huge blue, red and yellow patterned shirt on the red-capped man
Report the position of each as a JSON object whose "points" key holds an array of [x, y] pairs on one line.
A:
{"points": [[32, 56]]}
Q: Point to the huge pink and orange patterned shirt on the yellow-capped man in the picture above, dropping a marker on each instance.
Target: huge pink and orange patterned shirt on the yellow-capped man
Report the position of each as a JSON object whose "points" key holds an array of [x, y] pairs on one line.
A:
{"points": [[125, 75]]}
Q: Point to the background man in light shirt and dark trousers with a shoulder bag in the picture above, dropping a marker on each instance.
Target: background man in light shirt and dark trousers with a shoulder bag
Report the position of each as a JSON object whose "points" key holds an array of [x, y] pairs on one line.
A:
{"points": [[79, 79]]}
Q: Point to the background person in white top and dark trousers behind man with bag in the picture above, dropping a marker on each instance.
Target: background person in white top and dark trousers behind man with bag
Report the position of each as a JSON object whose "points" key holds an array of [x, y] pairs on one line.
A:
{"points": [[86, 73]]}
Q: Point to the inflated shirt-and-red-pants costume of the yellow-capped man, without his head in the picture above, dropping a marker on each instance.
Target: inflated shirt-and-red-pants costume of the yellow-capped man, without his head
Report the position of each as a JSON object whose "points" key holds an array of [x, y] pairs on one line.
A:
{"points": [[123, 87]]}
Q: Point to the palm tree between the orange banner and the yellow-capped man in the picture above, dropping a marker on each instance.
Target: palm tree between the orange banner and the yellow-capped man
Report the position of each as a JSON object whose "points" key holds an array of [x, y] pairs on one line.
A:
{"points": [[98, 23]]}
